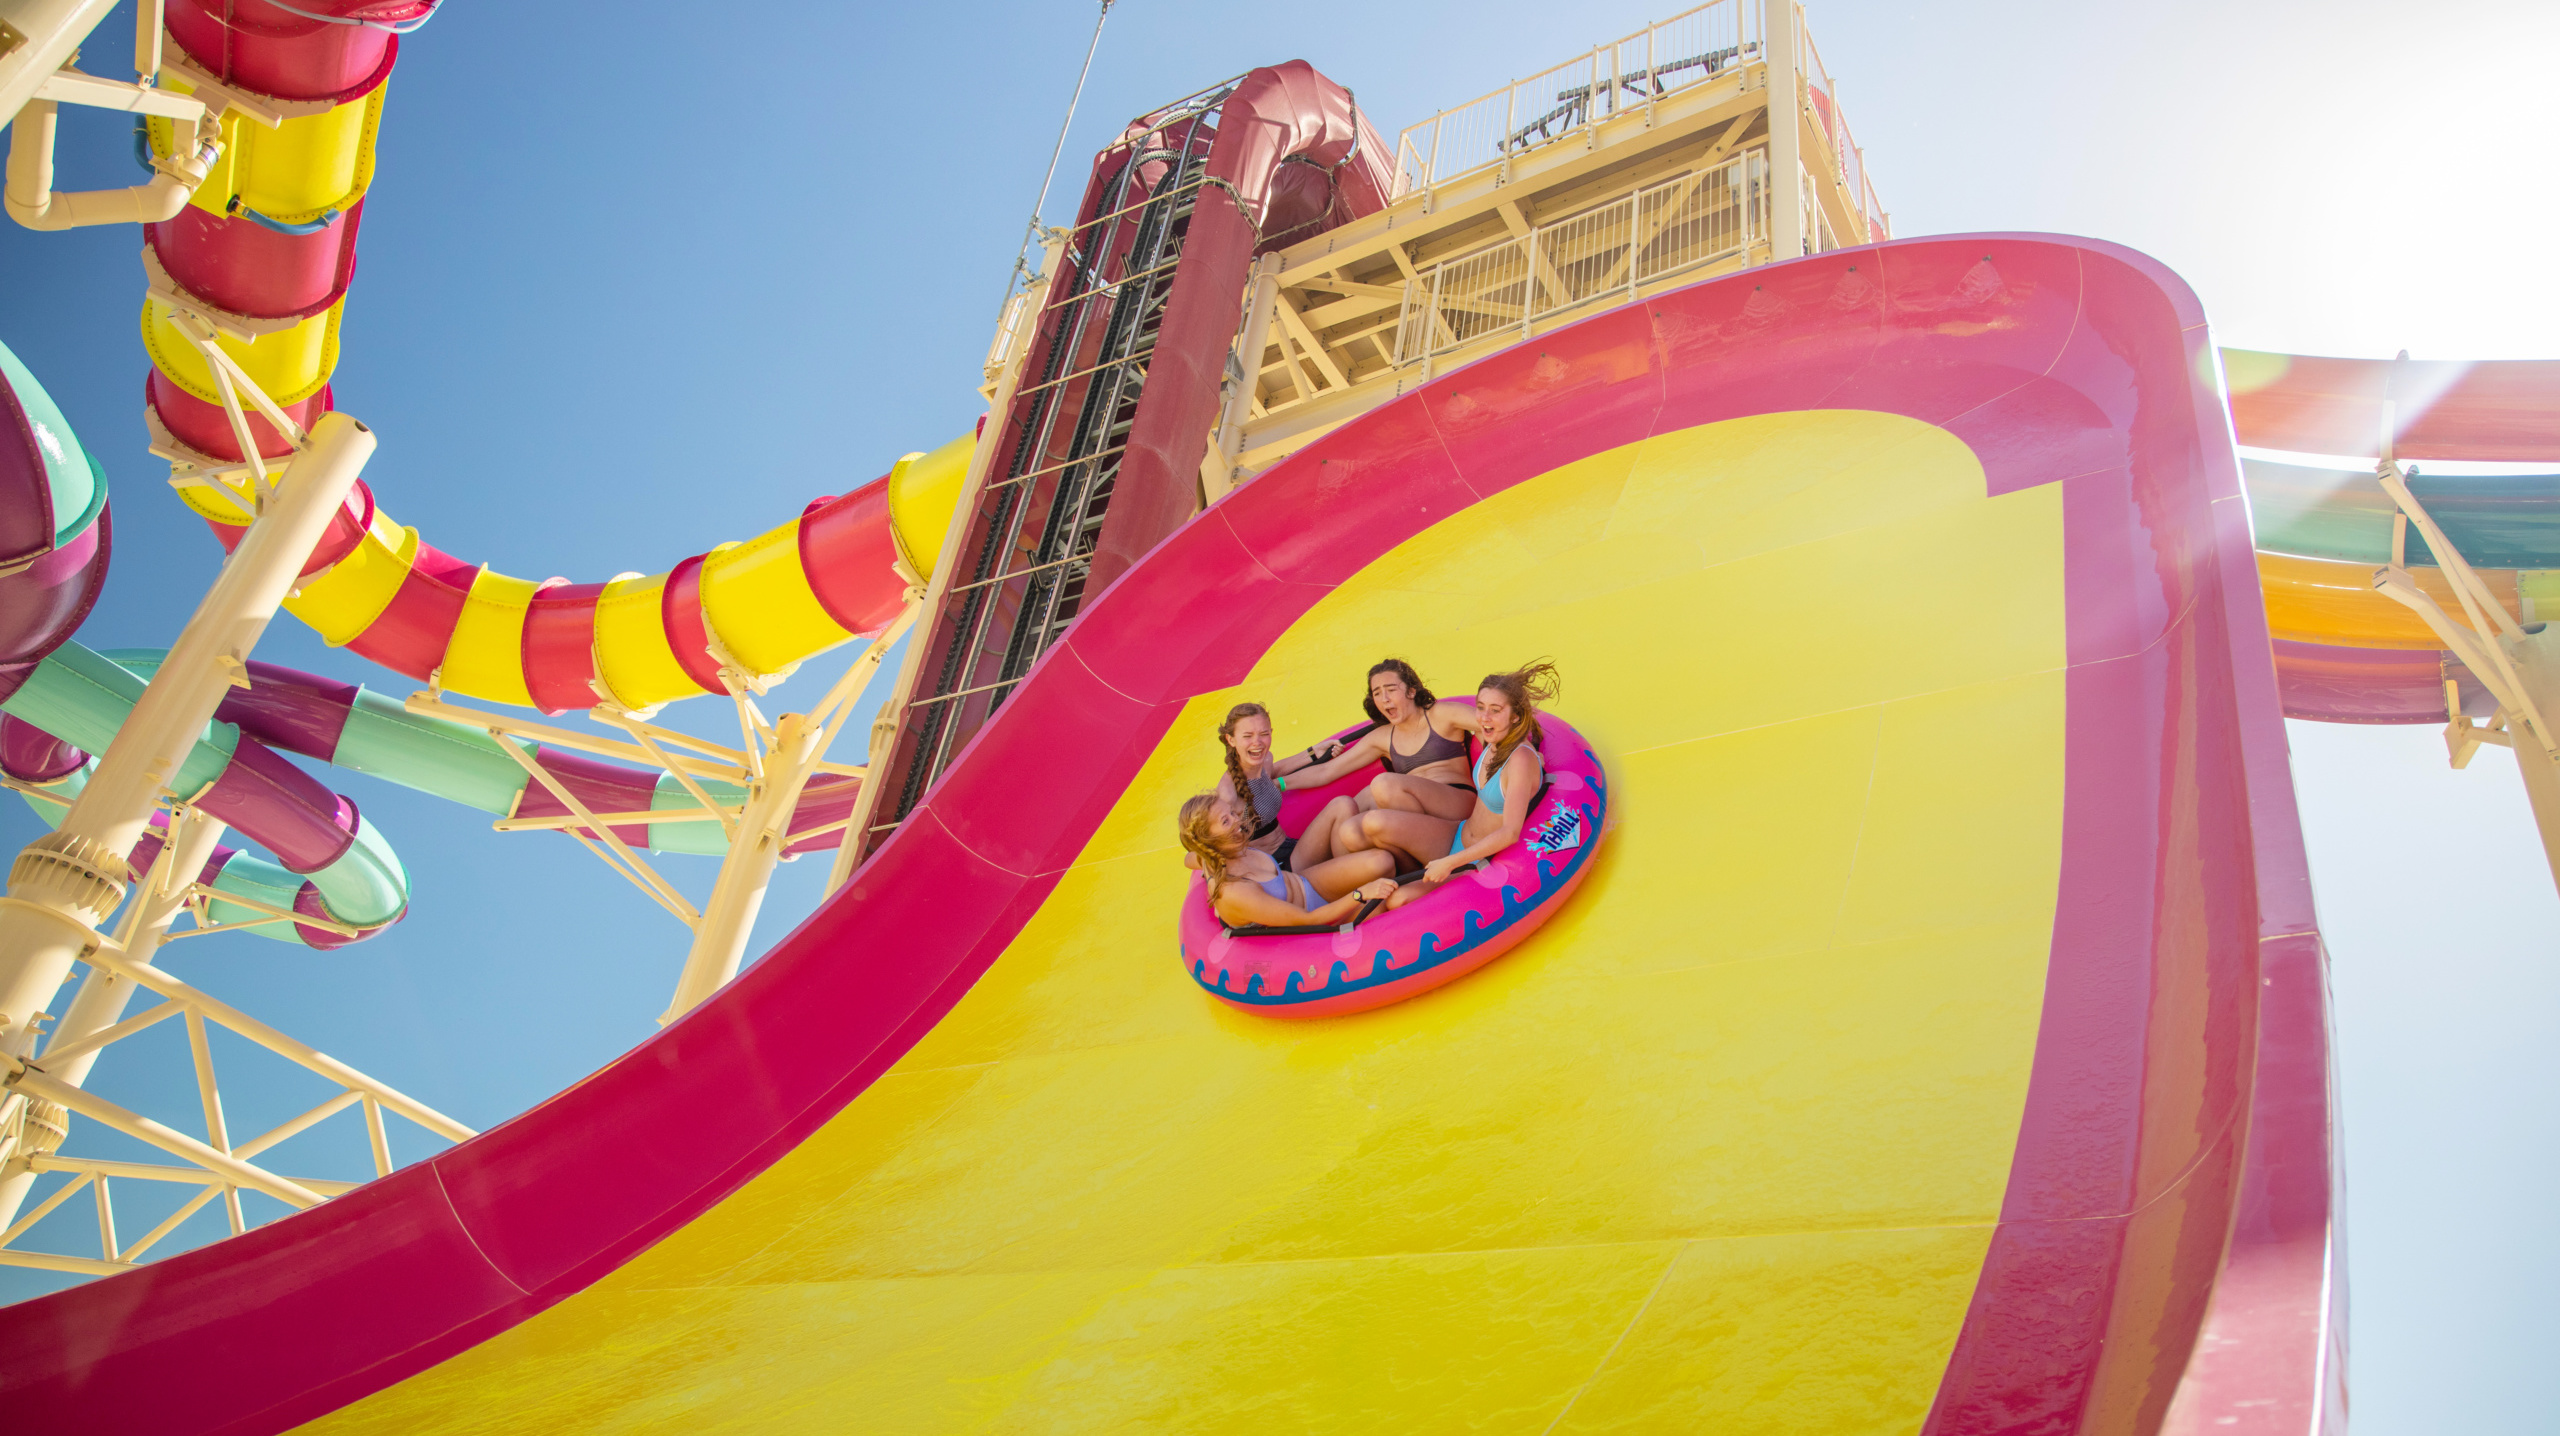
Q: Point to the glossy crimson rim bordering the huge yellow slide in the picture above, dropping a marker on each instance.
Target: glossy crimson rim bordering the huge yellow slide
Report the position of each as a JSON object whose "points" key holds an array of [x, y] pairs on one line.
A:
{"points": [[2172, 1181]]}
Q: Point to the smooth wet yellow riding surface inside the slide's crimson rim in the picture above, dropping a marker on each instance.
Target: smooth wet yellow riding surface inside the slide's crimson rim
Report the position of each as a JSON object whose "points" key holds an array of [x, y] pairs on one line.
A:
{"points": [[1716, 1151]]}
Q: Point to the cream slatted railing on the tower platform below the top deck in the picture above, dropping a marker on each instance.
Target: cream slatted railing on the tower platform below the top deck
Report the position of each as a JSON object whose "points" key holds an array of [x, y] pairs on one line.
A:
{"points": [[1588, 260]]}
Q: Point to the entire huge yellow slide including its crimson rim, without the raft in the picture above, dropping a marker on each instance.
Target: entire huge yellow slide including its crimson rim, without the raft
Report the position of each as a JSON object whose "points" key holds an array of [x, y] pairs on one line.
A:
{"points": [[1937, 1041]]}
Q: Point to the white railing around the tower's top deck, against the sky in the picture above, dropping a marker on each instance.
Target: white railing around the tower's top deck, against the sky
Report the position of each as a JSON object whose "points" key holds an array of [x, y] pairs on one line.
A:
{"points": [[1614, 78]]}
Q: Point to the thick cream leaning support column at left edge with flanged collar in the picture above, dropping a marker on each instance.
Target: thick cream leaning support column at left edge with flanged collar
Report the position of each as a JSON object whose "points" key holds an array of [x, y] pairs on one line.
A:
{"points": [[73, 879]]}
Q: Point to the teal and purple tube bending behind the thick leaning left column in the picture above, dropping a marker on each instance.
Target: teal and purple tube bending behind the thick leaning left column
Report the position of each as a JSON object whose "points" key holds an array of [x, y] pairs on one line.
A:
{"points": [[347, 872]]}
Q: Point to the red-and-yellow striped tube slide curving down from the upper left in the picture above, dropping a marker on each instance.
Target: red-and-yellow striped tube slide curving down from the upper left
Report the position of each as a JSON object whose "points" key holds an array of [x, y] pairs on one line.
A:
{"points": [[270, 244]]}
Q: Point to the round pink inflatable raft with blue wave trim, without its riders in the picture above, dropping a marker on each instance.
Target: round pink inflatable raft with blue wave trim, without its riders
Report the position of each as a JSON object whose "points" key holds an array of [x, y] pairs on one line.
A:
{"points": [[1394, 956]]}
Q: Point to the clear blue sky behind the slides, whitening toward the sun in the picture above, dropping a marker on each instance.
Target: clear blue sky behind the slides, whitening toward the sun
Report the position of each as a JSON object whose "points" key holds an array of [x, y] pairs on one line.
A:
{"points": [[646, 285]]}
